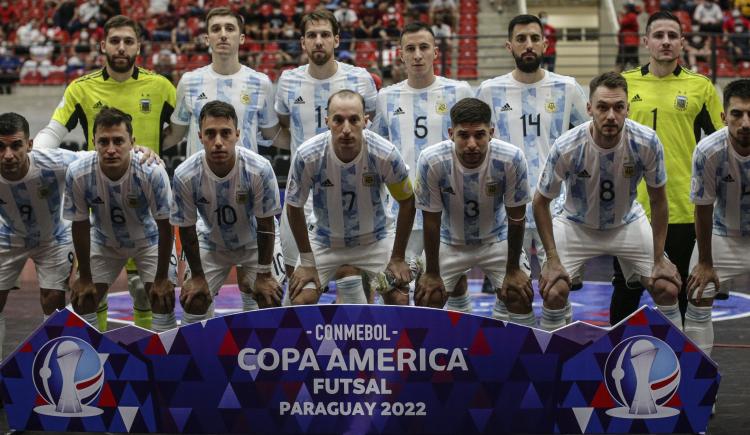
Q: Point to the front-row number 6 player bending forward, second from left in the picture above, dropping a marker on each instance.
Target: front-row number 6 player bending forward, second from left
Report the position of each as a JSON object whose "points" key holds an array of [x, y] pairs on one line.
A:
{"points": [[129, 208]]}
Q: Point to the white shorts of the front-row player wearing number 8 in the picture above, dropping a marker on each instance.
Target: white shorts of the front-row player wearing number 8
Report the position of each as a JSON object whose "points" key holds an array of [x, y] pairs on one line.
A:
{"points": [[632, 244]]}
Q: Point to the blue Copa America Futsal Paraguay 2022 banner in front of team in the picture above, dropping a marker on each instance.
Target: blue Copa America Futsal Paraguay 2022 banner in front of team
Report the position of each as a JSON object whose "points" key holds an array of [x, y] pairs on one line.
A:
{"points": [[360, 369]]}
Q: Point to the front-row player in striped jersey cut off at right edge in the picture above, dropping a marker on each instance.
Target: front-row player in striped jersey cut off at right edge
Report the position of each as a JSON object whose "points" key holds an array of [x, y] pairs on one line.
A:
{"points": [[719, 189]]}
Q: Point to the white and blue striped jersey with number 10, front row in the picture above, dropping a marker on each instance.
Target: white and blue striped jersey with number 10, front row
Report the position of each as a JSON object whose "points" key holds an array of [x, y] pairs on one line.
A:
{"points": [[224, 209]]}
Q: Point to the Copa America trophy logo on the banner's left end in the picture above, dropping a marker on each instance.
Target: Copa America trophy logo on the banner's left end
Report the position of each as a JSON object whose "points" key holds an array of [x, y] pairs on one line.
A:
{"points": [[68, 375]]}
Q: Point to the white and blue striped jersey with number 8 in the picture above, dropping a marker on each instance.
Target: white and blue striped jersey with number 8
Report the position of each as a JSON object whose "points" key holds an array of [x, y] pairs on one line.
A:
{"points": [[601, 184]]}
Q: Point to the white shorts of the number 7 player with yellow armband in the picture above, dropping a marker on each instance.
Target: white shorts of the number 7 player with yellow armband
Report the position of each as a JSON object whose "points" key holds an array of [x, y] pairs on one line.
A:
{"points": [[372, 258]]}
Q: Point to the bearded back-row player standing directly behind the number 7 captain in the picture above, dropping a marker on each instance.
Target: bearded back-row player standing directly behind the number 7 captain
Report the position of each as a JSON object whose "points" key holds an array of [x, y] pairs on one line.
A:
{"points": [[302, 95]]}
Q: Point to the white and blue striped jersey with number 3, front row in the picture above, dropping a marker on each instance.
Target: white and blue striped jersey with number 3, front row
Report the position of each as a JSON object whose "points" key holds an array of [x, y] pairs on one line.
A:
{"points": [[472, 201]]}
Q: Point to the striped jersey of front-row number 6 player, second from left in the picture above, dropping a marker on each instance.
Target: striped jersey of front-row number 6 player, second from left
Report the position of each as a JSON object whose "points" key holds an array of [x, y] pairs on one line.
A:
{"points": [[123, 212]]}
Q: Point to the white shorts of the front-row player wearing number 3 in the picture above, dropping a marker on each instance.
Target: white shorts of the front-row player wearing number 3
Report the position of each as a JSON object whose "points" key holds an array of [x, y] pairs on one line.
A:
{"points": [[491, 258]]}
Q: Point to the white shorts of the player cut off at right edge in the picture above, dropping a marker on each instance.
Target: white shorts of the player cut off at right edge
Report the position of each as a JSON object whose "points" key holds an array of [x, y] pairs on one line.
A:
{"points": [[729, 263]]}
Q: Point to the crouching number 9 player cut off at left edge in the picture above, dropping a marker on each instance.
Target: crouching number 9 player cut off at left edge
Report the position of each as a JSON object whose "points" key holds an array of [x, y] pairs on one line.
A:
{"points": [[31, 188]]}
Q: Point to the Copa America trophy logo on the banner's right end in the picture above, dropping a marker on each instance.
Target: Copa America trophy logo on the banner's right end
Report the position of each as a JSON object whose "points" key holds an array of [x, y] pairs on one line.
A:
{"points": [[642, 373]]}
